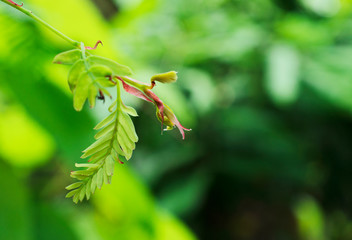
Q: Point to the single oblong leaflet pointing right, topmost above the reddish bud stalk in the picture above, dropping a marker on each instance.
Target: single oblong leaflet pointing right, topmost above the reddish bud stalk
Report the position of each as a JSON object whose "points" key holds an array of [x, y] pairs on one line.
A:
{"points": [[117, 69]]}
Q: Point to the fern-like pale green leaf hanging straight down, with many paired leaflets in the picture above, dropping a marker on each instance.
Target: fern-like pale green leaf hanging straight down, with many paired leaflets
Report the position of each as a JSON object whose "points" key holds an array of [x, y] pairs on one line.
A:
{"points": [[116, 138]]}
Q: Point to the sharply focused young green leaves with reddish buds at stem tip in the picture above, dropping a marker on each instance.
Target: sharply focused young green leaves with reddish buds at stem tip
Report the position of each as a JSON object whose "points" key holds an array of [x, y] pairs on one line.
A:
{"points": [[88, 79]]}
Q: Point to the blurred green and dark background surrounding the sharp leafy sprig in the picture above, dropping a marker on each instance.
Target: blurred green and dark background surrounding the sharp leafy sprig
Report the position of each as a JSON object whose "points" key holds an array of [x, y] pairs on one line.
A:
{"points": [[265, 85]]}
